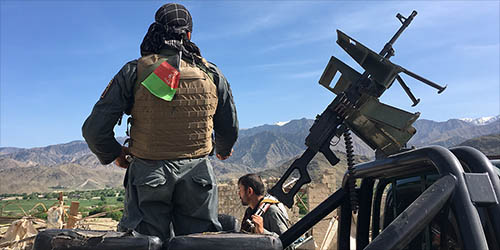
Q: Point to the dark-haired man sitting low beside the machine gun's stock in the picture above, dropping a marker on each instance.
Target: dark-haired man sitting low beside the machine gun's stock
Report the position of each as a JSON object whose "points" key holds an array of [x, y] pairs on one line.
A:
{"points": [[265, 214]]}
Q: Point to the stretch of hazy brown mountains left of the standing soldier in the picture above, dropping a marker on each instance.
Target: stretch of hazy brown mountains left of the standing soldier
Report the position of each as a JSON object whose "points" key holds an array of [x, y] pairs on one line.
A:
{"points": [[65, 166]]}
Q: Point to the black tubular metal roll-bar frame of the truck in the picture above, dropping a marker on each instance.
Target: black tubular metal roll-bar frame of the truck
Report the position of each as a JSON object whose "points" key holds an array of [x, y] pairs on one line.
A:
{"points": [[450, 188]]}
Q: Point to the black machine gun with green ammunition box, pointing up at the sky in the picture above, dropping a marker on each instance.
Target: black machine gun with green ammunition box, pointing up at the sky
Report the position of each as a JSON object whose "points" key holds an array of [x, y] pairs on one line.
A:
{"points": [[356, 107]]}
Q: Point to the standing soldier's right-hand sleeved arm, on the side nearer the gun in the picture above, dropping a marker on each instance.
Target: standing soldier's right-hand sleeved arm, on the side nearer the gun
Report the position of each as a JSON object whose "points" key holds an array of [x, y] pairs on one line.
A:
{"points": [[225, 118]]}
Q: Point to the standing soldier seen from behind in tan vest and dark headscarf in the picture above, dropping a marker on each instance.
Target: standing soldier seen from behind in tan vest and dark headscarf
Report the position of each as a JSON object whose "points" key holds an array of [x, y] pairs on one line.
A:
{"points": [[176, 99]]}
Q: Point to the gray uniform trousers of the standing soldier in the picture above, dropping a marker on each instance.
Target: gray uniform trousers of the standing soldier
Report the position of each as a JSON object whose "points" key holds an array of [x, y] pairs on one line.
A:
{"points": [[181, 192]]}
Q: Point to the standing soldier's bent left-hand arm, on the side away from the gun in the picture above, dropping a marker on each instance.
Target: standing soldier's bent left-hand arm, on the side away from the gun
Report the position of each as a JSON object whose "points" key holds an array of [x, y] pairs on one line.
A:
{"points": [[116, 99]]}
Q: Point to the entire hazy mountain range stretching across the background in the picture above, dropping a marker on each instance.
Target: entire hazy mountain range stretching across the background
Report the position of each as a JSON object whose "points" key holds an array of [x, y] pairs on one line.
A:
{"points": [[267, 149]]}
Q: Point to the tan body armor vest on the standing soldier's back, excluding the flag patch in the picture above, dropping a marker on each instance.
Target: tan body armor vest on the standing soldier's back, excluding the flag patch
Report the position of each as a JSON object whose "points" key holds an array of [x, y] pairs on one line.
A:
{"points": [[177, 129]]}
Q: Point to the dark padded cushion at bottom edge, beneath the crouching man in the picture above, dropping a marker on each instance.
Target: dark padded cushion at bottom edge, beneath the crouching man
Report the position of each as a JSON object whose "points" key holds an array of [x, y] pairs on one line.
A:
{"points": [[223, 241]]}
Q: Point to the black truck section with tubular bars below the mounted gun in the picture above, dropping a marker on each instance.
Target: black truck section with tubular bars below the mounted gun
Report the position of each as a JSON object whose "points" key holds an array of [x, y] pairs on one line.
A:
{"points": [[440, 199]]}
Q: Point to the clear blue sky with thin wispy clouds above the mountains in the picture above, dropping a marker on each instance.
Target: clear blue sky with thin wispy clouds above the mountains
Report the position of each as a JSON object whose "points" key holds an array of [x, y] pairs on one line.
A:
{"points": [[56, 57]]}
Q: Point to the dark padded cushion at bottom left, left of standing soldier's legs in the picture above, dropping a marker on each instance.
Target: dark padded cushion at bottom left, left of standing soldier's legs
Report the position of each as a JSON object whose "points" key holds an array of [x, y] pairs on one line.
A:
{"points": [[66, 239]]}
